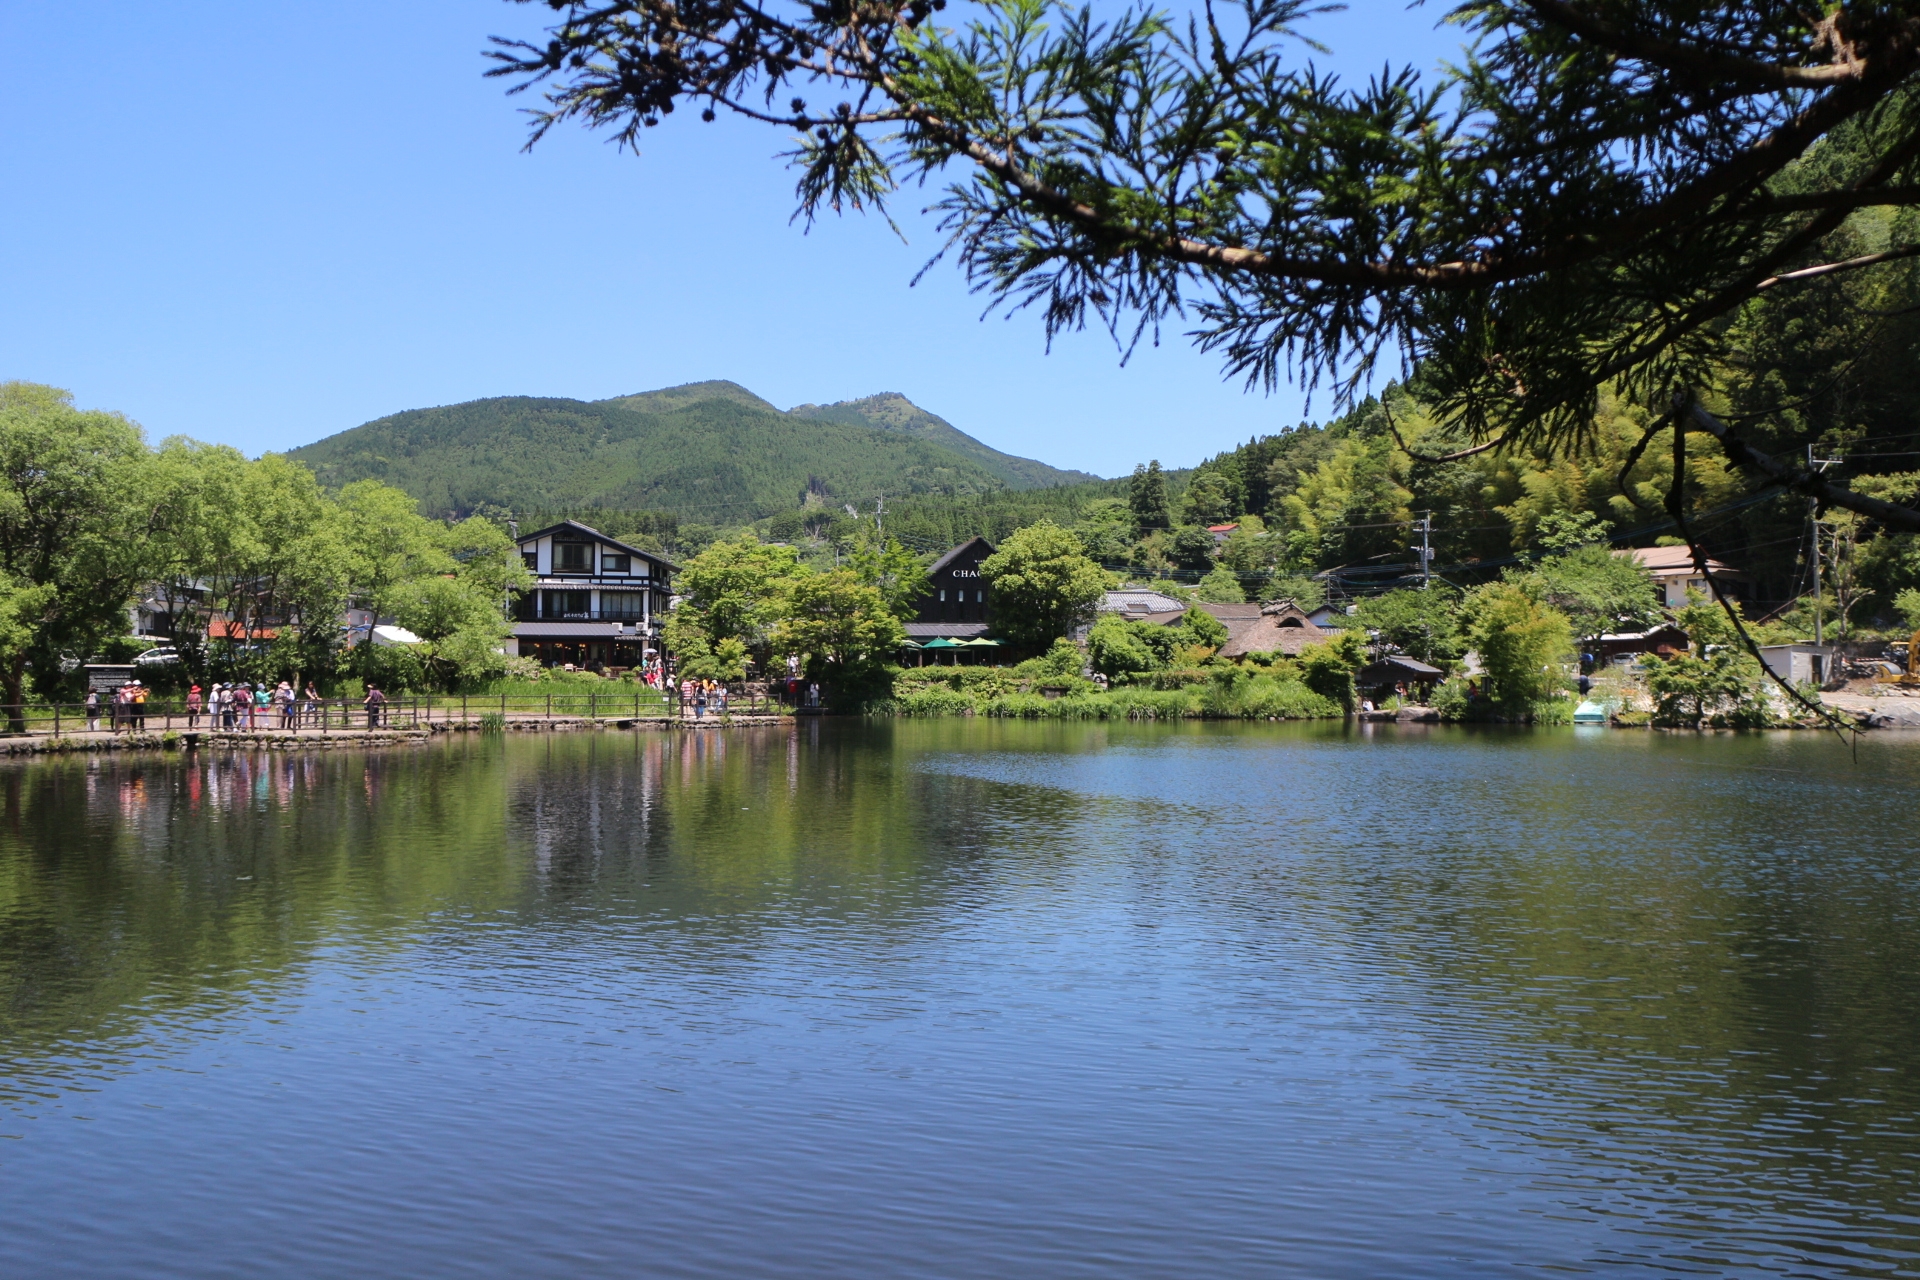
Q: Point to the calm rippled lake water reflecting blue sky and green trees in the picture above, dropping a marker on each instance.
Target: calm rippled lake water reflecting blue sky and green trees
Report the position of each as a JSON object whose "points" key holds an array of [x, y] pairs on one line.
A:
{"points": [[967, 999]]}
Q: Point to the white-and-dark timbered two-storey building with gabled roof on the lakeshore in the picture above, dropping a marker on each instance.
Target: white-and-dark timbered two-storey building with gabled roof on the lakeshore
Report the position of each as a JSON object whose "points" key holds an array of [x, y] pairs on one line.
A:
{"points": [[596, 602]]}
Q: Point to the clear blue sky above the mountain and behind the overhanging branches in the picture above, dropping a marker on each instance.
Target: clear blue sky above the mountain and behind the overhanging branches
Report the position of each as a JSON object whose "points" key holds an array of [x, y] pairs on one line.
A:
{"points": [[264, 224]]}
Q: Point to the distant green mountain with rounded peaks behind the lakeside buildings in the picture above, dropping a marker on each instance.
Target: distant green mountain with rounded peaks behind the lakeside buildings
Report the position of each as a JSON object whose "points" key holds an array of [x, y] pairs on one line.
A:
{"points": [[709, 452]]}
